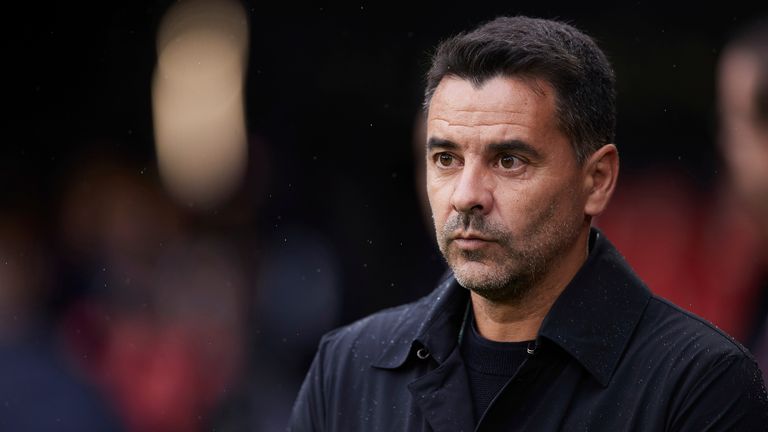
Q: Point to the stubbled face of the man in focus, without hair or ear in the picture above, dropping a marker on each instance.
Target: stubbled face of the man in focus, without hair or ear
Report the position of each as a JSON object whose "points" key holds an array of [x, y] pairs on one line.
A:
{"points": [[503, 183]]}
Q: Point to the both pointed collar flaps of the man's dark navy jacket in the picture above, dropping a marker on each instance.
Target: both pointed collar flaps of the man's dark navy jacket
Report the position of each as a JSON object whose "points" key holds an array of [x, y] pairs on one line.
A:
{"points": [[592, 320]]}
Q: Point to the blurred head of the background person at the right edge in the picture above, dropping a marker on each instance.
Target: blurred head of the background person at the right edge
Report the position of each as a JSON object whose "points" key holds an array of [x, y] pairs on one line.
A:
{"points": [[743, 109]]}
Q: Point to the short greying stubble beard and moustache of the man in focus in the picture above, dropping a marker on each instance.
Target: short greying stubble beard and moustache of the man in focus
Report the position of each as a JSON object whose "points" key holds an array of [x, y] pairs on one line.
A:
{"points": [[514, 267]]}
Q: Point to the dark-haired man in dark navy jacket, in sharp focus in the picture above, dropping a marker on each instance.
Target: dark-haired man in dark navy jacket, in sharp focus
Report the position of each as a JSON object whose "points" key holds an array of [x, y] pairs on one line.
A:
{"points": [[541, 325]]}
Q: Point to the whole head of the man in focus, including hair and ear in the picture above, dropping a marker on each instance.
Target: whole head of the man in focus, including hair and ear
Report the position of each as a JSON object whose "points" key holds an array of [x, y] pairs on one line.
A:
{"points": [[520, 120]]}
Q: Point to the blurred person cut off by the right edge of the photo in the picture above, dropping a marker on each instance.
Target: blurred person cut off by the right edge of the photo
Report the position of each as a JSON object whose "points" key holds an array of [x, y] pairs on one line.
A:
{"points": [[743, 111]]}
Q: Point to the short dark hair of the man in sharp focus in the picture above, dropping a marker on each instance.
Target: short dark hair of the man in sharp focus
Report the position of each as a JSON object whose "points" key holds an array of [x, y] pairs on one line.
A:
{"points": [[554, 51]]}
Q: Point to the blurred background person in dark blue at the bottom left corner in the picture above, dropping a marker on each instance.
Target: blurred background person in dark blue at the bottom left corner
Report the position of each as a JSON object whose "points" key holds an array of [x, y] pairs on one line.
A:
{"points": [[41, 388]]}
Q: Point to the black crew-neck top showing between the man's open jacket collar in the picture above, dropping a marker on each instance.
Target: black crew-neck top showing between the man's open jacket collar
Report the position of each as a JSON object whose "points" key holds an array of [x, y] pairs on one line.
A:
{"points": [[489, 364]]}
